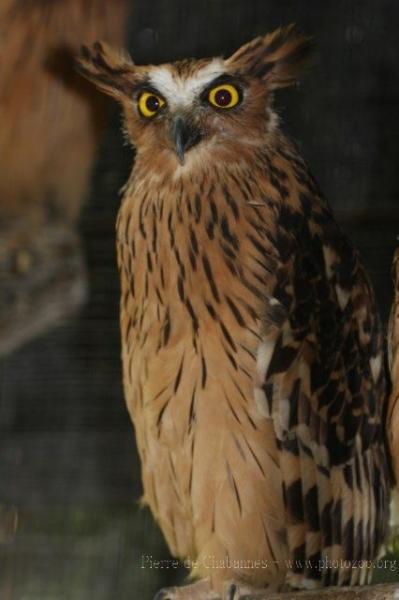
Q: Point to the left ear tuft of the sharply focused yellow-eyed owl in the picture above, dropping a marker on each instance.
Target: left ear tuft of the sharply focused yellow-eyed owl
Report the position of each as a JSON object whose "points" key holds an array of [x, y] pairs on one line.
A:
{"points": [[110, 70]]}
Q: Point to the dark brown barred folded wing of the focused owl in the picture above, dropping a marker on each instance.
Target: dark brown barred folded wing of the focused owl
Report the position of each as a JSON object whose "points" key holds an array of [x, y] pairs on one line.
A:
{"points": [[321, 380]]}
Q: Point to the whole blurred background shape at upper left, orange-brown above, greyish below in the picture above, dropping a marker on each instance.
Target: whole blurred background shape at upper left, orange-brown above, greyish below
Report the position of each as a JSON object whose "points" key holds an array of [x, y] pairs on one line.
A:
{"points": [[50, 125]]}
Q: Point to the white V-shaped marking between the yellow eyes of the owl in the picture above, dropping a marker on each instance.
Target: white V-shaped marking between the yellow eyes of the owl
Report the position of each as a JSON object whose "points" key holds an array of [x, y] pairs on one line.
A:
{"points": [[182, 91]]}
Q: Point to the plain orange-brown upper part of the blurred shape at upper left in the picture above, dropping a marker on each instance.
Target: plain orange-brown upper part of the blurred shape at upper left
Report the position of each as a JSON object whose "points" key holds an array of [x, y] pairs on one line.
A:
{"points": [[43, 99]]}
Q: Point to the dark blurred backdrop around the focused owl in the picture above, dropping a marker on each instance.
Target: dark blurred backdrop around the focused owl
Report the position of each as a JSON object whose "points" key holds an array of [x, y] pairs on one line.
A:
{"points": [[67, 453]]}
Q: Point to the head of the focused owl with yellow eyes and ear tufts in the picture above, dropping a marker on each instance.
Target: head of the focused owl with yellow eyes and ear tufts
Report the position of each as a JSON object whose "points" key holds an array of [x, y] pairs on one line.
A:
{"points": [[194, 107]]}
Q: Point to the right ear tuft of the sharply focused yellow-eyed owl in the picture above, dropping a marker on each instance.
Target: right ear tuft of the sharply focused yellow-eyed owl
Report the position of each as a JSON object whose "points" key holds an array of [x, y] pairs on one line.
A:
{"points": [[277, 58]]}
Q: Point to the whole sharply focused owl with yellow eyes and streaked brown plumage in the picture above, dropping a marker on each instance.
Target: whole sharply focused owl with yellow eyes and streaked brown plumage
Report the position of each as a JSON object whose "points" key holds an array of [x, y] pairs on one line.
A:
{"points": [[251, 345]]}
